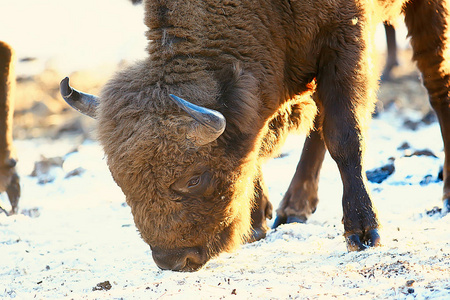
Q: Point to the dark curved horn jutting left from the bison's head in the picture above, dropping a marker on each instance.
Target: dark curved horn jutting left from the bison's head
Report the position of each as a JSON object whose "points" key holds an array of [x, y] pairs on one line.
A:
{"points": [[82, 102]]}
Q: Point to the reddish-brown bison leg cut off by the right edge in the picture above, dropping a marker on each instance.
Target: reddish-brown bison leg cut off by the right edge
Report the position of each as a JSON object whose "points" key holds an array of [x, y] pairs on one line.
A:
{"points": [[430, 43]]}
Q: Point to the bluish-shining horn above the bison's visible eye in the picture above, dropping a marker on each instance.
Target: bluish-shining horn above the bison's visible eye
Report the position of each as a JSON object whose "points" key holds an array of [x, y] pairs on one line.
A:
{"points": [[212, 122]]}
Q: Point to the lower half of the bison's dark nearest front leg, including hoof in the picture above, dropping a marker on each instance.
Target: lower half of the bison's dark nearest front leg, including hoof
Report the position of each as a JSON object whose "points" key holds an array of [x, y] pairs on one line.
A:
{"points": [[345, 144]]}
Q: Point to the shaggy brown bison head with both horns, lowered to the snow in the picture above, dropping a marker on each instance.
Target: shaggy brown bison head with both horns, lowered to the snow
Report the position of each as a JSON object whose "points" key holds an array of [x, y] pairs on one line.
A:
{"points": [[187, 188]]}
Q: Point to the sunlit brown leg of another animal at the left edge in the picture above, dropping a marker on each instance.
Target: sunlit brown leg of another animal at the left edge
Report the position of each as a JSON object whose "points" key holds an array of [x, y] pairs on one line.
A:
{"points": [[9, 180]]}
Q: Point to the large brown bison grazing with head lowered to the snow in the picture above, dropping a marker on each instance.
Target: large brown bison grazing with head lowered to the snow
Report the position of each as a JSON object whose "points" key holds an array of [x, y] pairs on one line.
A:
{"points": [[185, 130]]}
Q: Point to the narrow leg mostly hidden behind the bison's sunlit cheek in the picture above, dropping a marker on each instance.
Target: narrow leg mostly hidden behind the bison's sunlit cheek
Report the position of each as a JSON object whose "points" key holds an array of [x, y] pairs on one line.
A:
{"points": [[262, 210]]}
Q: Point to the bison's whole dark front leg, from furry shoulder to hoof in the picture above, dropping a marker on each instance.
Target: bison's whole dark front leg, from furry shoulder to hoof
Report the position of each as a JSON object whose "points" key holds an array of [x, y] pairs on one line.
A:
{"points": [[347, 93]]}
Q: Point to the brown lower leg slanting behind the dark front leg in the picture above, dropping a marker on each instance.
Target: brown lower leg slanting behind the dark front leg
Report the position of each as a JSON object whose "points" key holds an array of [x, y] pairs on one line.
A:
{"points": [[300, 200]]}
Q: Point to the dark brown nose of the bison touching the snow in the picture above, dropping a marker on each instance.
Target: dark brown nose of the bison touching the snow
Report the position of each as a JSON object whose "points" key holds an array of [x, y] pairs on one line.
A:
{"points": [[185, 259]]}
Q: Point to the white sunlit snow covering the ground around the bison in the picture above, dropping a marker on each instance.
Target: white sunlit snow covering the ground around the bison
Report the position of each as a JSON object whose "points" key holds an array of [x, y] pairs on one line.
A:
{"points": [[77, 232]]}
